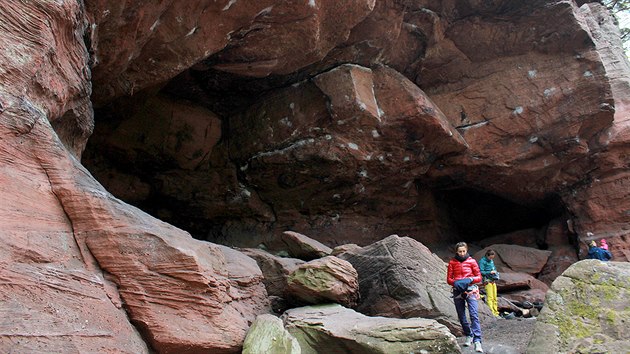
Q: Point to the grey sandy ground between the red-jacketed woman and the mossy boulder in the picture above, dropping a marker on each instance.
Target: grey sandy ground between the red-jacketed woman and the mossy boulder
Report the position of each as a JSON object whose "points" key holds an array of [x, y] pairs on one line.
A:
{"points": [[503, 336]]}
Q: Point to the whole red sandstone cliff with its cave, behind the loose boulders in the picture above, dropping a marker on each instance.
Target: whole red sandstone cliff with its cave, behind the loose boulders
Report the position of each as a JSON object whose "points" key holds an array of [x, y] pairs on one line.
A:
{"points": [[235, 121]]}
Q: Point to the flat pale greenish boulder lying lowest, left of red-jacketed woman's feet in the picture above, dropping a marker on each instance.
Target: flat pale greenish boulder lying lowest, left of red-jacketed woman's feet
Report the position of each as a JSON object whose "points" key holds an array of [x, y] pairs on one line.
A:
{"points": [[335, 329]]}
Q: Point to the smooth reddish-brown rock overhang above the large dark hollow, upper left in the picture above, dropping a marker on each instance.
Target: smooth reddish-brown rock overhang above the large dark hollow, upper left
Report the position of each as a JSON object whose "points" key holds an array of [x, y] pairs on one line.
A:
{"points": [[139, 45]]}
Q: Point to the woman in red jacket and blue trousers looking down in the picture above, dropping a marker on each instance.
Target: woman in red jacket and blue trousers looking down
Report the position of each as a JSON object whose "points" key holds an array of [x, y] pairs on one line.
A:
{"points": [[463, 273]]}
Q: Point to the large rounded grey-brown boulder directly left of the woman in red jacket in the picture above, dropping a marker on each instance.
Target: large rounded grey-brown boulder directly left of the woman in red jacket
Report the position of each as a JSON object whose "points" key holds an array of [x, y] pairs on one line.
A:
{"points": [[400, 277]]}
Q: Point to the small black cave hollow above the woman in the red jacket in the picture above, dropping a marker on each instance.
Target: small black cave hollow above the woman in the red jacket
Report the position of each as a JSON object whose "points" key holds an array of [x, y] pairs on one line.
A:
{"points": [[477, 215]]}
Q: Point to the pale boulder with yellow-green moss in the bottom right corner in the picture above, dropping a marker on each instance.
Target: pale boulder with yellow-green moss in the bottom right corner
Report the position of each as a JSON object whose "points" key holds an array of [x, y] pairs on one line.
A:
{"points": [[586, 310]]}
